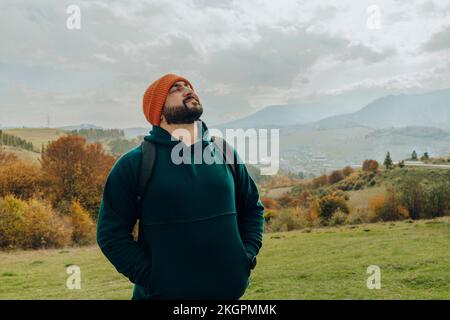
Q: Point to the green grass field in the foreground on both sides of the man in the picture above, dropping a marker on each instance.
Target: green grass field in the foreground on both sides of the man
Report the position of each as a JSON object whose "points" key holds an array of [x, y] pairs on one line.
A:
{"points": [[327, 263]]}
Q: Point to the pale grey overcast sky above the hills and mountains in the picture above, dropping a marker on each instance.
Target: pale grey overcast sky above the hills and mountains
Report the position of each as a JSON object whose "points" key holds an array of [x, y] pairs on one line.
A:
{"points": [[240, 55]]}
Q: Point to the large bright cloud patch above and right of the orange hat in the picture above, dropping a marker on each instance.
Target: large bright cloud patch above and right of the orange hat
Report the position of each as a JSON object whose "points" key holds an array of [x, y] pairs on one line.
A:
{"points": [[280, 55]]}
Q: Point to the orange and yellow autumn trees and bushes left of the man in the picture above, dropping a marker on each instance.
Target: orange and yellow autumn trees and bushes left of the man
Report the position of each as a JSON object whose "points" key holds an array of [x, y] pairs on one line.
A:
{"points": [[57, 202]]}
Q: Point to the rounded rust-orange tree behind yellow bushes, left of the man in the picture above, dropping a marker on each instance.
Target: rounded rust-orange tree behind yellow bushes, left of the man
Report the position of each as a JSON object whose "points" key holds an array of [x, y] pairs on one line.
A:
{"points": [[74, 170]]}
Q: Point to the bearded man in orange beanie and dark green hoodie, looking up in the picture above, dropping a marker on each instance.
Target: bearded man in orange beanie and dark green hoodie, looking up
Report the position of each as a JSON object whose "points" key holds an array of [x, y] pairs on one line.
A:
{"points": [[195, 241]]}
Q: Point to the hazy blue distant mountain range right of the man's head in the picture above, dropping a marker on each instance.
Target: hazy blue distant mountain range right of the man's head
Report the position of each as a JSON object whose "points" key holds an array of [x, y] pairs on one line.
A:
{"points": [[430, 109]]}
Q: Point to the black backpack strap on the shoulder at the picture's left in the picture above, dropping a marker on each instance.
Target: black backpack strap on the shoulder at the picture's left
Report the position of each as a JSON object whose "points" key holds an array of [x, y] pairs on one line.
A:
{"points": [[147, 162]]}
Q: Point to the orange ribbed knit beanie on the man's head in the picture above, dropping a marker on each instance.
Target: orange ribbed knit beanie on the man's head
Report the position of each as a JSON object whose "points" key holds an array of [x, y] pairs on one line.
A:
{"points": [[155, 97]]}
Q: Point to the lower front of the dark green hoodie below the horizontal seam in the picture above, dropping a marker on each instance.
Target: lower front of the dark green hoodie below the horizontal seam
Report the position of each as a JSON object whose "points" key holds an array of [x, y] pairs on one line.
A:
{"points": [[202, 259]]}
